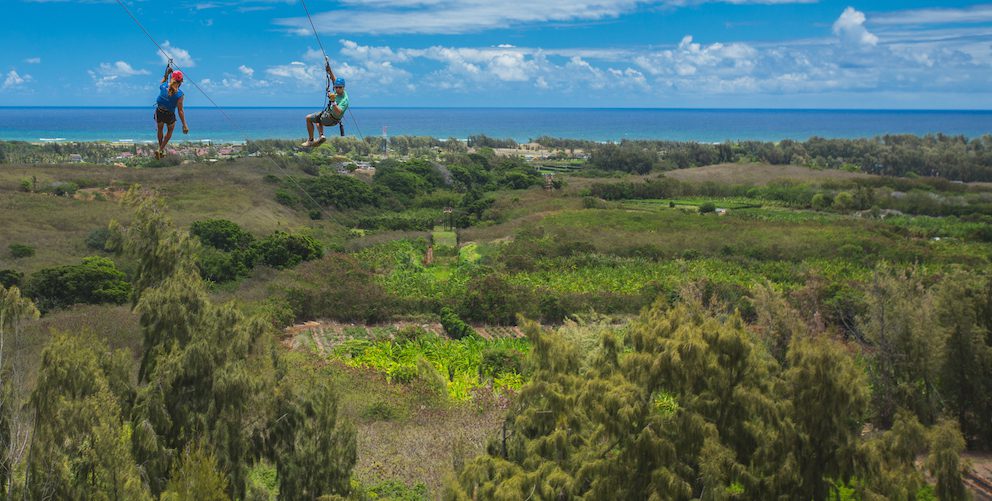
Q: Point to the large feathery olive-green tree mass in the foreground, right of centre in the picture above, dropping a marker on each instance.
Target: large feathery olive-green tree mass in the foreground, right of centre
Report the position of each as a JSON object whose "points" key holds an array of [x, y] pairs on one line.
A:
{"points": [[587, 420]]}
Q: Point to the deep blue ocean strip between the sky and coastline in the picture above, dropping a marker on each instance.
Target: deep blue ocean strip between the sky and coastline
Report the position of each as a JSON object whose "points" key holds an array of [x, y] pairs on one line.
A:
{"points": [[521, 124]]}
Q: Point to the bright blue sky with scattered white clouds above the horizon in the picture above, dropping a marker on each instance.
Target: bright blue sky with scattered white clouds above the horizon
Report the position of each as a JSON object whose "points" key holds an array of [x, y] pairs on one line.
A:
{"points": [[572, 53]]}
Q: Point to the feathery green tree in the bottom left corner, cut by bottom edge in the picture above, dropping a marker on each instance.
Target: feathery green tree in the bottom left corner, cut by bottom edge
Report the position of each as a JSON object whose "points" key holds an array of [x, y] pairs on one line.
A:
{"points": [[80, 446]]}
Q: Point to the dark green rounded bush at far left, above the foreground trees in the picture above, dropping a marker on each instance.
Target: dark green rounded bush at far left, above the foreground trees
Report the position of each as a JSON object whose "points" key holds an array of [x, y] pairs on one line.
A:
{"points": [[96, 280]]}
